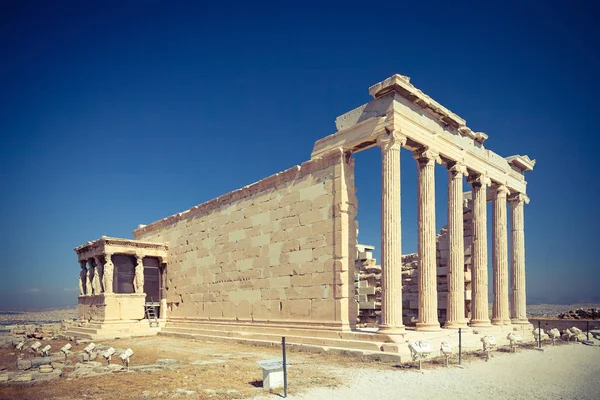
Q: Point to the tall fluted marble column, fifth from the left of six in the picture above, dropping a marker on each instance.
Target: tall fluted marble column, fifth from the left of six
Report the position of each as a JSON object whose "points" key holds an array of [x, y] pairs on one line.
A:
{"points": [[500, 313]]}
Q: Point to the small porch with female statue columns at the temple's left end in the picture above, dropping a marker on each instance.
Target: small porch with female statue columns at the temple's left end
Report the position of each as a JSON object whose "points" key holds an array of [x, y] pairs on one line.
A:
{"points": [[119, 277]]}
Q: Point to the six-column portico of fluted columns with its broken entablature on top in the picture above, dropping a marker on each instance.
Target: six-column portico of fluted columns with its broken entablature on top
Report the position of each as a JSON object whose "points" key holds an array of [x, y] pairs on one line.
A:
{"points": [[401, 116]]}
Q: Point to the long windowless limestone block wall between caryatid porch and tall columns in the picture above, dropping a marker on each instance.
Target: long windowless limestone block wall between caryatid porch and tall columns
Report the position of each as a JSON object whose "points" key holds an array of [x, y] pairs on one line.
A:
{"points": [[278, 251]]}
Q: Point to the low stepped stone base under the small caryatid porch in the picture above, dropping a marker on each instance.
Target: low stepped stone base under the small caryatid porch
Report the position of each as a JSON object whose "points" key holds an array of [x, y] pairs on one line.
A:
{"points": [[103, 330]]}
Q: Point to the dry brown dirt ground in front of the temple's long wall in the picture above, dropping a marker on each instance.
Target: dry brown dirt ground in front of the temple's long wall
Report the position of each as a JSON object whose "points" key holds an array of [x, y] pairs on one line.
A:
{"points": [[208, 370]]}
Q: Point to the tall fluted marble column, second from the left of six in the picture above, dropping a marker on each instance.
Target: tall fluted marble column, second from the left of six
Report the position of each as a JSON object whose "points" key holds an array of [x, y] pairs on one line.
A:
{"points": [[427, 318]]}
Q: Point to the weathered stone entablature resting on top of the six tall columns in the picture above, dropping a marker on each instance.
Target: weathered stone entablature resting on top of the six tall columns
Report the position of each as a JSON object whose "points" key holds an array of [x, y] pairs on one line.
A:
{"points": [[400, 106]]}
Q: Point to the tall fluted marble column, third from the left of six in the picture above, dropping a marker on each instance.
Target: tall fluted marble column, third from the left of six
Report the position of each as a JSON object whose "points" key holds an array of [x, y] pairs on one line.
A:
{"points": [[455, 305]]}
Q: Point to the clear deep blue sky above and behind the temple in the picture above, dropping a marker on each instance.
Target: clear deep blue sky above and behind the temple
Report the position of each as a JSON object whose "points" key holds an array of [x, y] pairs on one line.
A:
{"points": [[122, 113]]}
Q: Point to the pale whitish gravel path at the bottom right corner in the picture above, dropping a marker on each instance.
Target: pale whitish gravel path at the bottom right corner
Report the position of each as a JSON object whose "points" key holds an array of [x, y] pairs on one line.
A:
{"points": [[561, 372]]}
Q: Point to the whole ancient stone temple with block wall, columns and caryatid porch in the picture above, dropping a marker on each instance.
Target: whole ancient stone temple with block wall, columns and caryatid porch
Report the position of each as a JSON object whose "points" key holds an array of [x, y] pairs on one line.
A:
{"points": [[278, 256]]}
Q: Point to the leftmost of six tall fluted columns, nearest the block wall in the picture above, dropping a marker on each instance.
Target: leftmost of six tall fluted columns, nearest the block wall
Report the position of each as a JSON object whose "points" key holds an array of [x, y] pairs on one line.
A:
{"points": [[391, 245]]}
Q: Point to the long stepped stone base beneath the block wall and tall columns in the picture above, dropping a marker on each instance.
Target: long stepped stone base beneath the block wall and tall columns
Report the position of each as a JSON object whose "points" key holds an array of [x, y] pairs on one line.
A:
{"points": [[361, 343]]}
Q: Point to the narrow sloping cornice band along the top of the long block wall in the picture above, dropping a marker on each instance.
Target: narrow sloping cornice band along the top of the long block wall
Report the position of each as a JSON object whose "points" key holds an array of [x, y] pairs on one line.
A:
{"points": [[332, 158]]}
